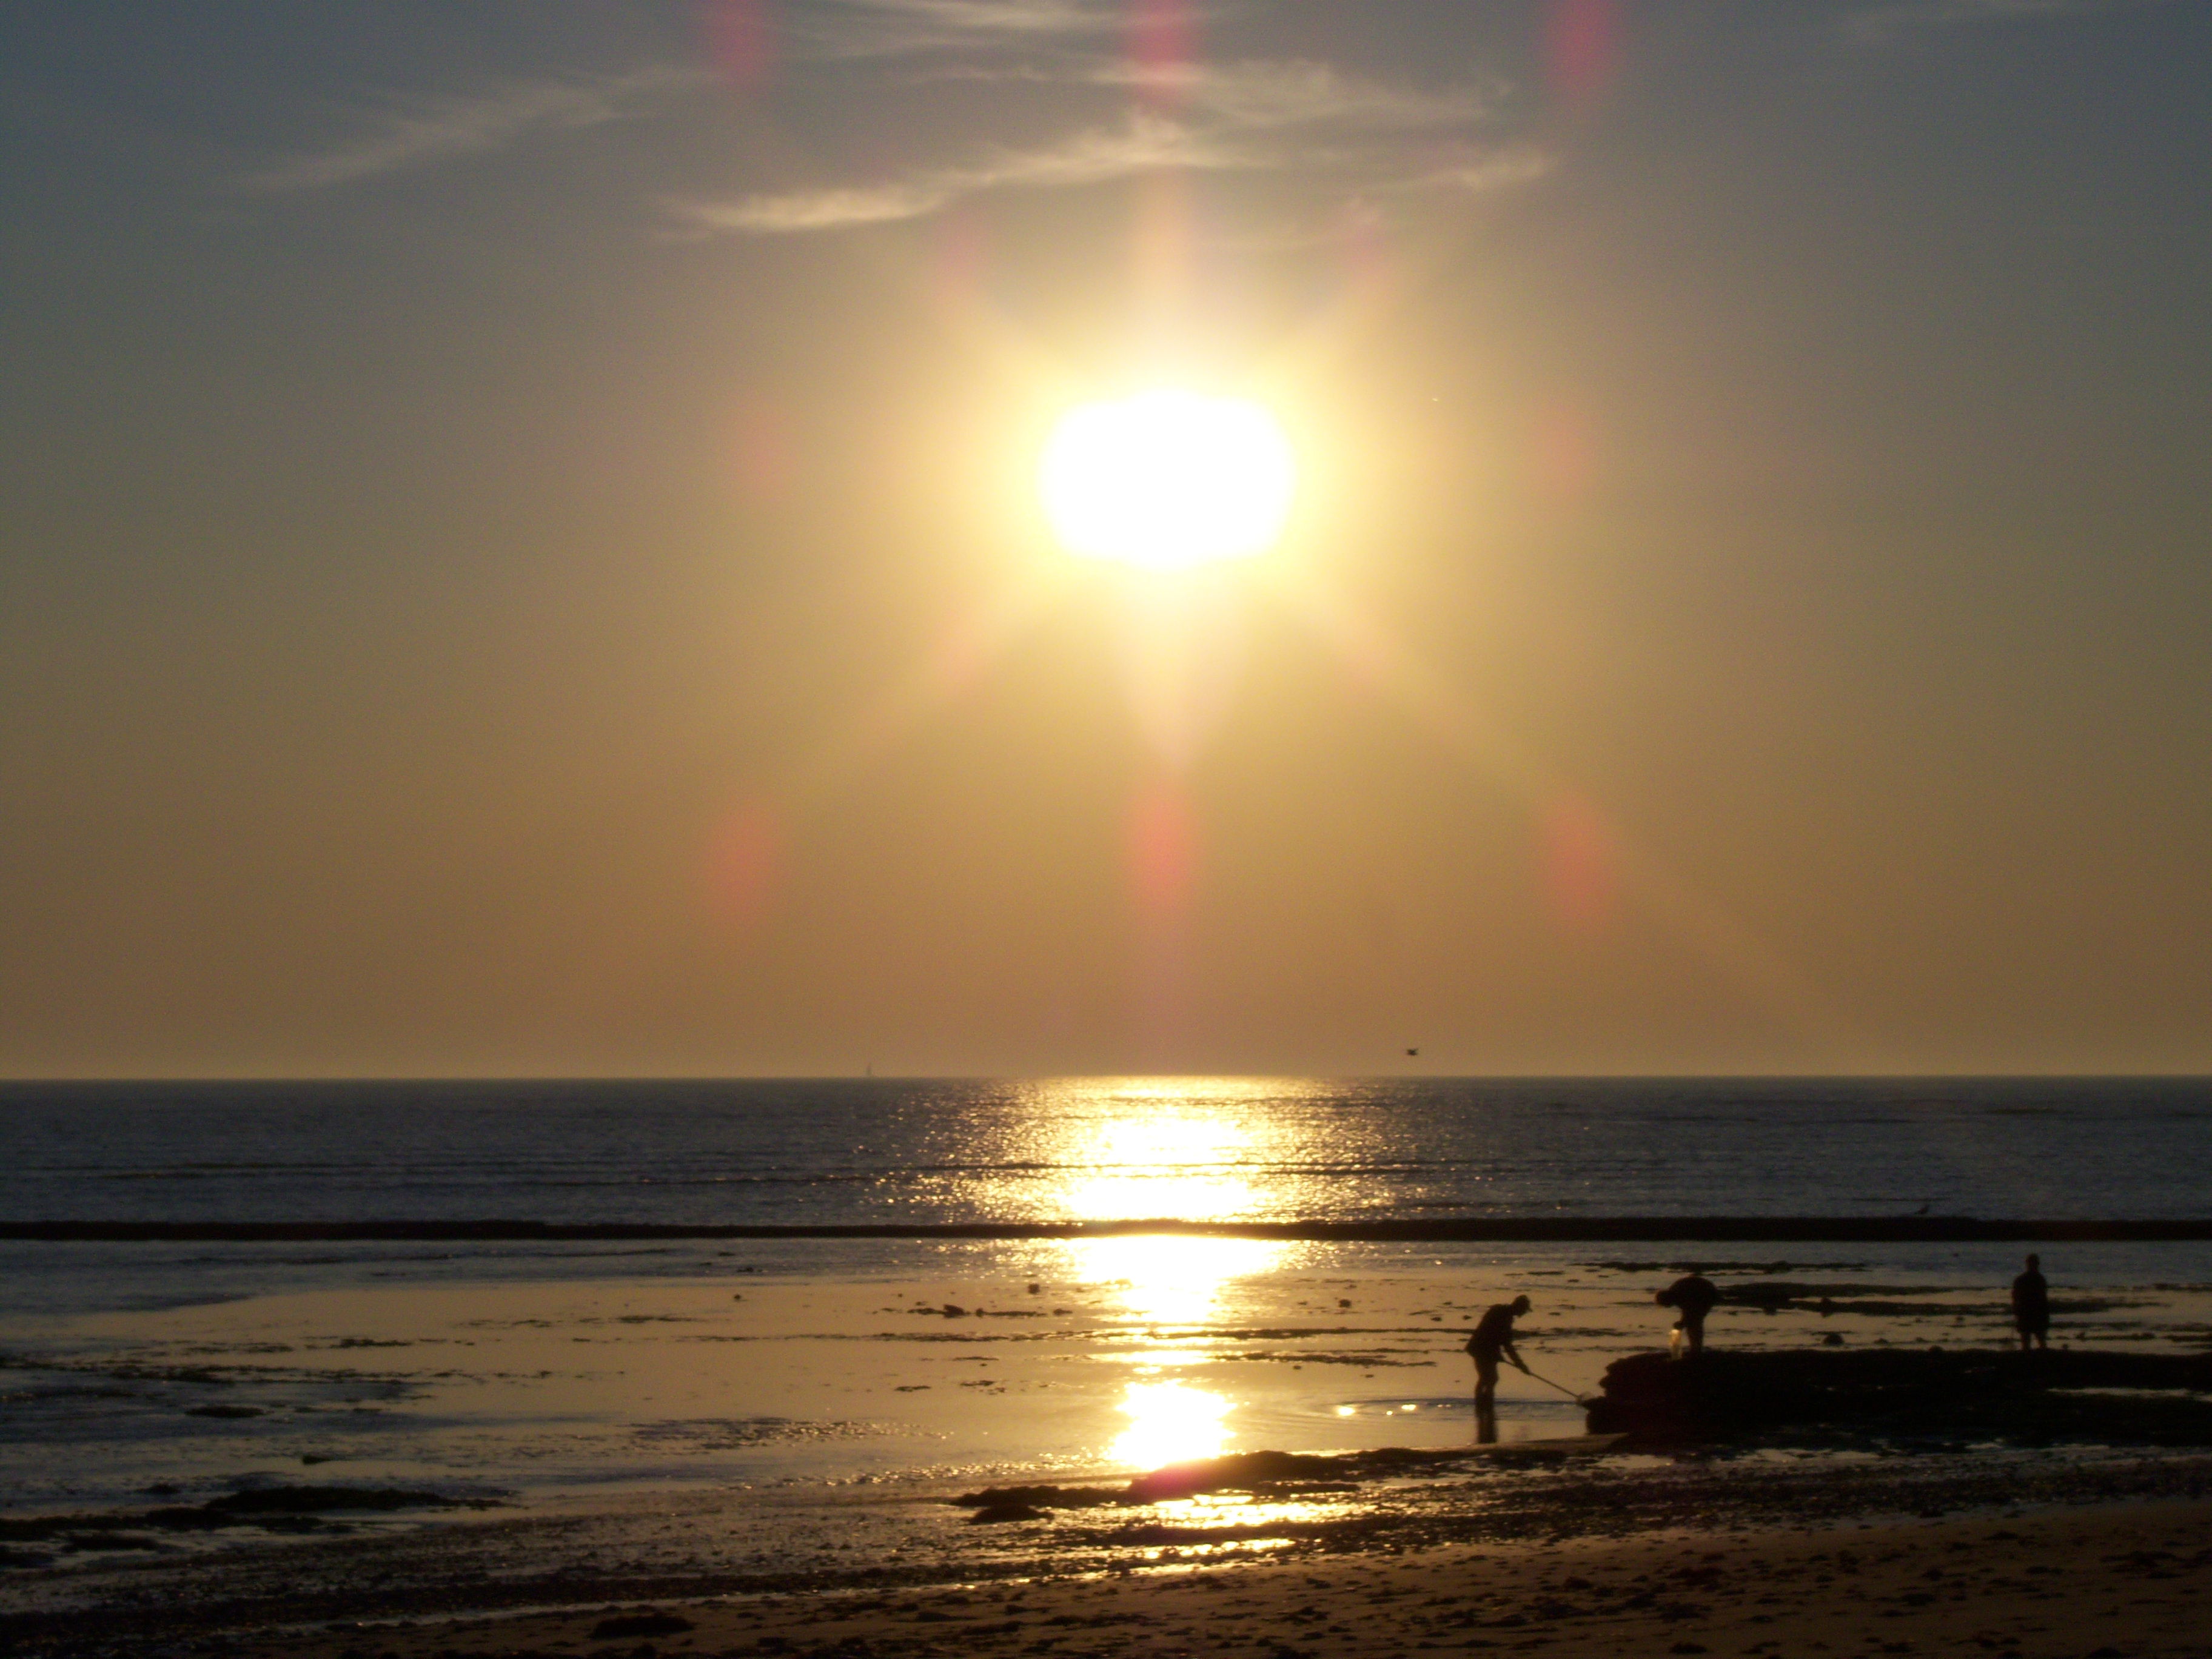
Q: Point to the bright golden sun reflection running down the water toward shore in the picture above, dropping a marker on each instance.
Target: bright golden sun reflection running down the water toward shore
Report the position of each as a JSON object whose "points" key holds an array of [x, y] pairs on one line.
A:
{"points": [[1169, 1149]]}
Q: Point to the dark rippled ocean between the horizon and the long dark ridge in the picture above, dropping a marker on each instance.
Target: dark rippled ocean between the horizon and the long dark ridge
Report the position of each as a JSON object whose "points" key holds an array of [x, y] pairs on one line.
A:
{"points": [[1100, 1149]]}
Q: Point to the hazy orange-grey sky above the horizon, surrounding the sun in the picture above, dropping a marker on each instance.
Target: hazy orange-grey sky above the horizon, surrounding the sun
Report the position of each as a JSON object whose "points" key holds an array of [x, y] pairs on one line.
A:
{"points": [[523, 550]]}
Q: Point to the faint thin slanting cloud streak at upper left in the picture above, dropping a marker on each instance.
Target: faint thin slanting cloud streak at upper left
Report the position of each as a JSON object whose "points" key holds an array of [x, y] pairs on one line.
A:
{"points": [[428, 129]]}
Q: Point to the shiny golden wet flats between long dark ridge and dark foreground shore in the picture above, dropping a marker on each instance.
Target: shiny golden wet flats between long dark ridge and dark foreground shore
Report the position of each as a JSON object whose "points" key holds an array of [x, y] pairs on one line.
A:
{"points": [[977, 1361]]}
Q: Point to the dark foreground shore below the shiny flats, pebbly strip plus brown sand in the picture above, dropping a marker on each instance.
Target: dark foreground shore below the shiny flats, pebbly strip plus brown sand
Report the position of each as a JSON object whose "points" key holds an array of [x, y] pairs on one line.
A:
{"points": [[2034, 1554]]}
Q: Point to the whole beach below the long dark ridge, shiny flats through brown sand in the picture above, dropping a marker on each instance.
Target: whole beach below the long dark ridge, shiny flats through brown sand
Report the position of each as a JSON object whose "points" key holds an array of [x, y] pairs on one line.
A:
{"points": [[775, 1463]]}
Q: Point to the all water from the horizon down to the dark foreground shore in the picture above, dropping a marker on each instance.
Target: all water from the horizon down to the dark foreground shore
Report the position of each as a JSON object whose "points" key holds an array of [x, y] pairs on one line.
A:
{"points": [[543, 1368]]}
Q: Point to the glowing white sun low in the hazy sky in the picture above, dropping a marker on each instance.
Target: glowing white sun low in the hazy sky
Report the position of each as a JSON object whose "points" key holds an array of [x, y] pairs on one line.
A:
{"points": [[1169, 479]]}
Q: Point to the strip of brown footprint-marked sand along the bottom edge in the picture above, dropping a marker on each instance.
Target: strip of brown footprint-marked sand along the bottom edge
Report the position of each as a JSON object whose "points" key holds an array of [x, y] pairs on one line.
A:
{"points": [[2116, 1580]]}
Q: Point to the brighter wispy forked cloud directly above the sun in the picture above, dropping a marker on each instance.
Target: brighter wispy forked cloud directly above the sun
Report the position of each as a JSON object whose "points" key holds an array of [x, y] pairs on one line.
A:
{"points": [[1251, 116]]}
